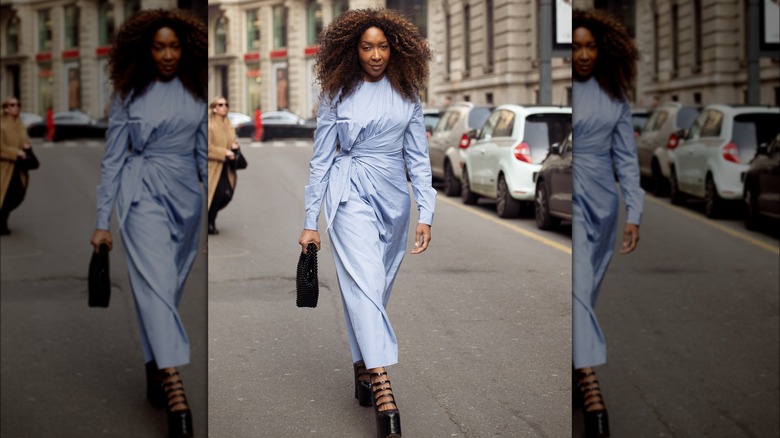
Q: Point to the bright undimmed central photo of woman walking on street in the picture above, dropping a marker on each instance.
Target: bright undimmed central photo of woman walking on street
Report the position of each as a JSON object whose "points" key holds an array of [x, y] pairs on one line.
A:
{"points": [[452, 106]]}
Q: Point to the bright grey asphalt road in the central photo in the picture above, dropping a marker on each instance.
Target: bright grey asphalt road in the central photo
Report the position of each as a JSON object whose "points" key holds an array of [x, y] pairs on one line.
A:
{"points": [[483, 320]]}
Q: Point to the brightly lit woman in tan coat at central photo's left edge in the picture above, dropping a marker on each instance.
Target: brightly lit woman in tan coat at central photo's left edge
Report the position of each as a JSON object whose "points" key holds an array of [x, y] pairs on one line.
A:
{"points": [[222, 143]]}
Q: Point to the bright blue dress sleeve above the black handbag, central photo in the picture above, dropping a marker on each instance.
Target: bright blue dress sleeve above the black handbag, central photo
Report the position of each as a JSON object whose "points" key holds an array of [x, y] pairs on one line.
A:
{"points": [[321, 161]]}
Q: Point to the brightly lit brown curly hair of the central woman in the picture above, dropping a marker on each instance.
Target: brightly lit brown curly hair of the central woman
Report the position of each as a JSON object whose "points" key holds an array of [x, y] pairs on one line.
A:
{"points": [[338, 69]]}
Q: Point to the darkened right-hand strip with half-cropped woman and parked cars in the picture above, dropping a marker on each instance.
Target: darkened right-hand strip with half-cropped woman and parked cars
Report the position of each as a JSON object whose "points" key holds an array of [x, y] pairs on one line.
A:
{"points": [[675, 140]]}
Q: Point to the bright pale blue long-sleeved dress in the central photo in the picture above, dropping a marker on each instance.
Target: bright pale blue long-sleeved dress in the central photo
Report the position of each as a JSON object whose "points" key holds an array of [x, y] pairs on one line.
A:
{"points": [[363, 182]]}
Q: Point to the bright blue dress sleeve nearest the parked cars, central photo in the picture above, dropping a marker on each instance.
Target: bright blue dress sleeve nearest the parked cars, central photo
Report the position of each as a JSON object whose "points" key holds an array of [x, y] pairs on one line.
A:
{"points": [[419, 165]]}
